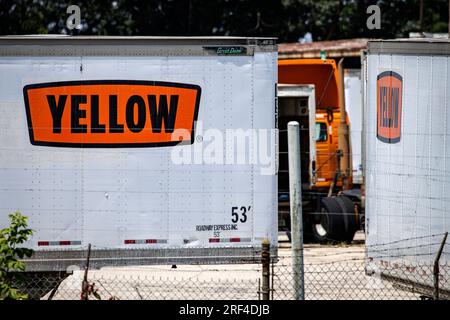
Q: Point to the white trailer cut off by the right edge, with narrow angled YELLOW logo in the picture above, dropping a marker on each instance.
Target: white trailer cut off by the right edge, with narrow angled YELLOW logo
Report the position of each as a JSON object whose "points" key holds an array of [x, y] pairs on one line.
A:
{"points": [[407, 159]]}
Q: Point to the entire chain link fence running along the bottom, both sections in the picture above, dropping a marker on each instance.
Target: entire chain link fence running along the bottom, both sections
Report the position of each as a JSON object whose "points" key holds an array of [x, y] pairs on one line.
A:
{"points": [[330, 272]]}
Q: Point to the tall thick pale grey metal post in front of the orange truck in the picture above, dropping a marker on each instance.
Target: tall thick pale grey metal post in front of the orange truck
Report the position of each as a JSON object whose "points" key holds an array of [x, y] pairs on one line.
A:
{"points": [[295, 195]]}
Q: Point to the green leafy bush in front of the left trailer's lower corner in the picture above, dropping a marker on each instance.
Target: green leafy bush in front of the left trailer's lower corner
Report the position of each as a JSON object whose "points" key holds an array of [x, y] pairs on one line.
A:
{"points": [[10, 255]]}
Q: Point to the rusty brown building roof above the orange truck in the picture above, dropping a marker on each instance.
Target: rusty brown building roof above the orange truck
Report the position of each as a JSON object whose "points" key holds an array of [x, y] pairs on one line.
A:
{"points": [[333, 49]]}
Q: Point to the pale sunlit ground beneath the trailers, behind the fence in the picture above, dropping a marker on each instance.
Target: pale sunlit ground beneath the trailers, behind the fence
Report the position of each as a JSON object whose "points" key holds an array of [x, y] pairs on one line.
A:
{"points": [[331, 272]]}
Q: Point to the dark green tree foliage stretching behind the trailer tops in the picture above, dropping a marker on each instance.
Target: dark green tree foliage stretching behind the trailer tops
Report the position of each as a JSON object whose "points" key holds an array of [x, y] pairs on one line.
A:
{"points": [[287, 19]]}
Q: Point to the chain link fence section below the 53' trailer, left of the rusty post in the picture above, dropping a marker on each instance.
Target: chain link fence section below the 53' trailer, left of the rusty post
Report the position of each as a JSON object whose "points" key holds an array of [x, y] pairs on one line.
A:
{"points": [[233, 282]]}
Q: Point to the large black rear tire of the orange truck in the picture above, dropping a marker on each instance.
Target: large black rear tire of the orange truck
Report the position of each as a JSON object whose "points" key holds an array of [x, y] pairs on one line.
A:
{"points": [[336, 221]]}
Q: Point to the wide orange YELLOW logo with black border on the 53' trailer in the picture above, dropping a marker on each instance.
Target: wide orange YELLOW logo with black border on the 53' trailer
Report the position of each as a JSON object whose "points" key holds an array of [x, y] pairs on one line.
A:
{"points": [[111, 113]]}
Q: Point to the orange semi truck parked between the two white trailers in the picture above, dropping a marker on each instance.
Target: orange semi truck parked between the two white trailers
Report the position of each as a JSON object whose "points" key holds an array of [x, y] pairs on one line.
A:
{"points": [[311, 92]]}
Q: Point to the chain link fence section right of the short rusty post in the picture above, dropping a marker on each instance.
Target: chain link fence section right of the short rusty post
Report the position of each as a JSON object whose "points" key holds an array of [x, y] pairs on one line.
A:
{"points": [[358, 280]]}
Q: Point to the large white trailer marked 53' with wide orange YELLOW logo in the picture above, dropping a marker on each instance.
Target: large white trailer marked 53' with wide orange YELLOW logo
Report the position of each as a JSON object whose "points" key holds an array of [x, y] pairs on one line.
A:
{"points": [[152, 150]]}
